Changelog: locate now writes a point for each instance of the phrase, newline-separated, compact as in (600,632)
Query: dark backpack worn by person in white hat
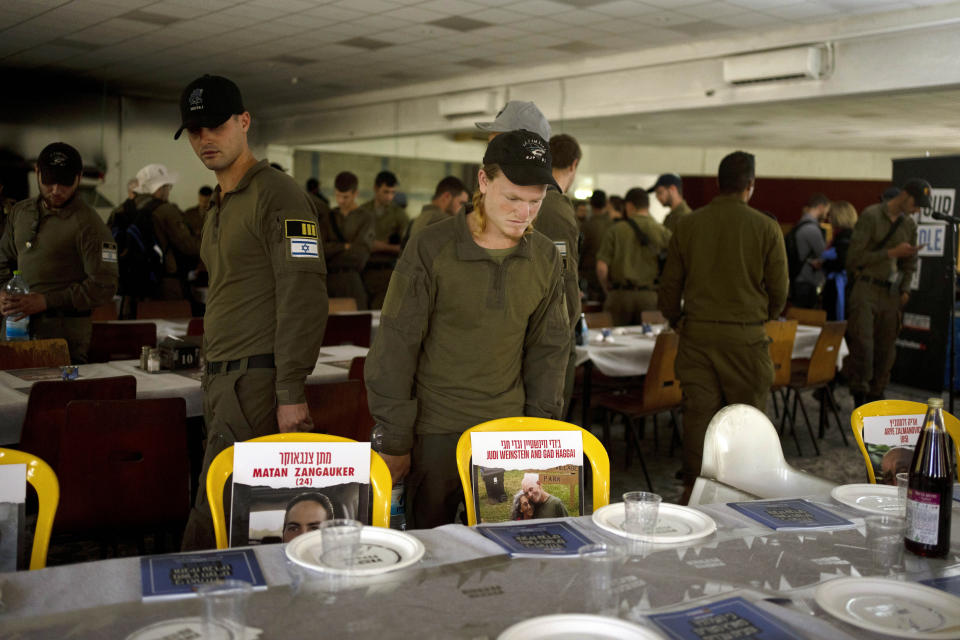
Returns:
(139,257)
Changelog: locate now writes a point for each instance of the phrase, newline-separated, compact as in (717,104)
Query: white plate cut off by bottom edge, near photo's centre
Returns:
(576,626)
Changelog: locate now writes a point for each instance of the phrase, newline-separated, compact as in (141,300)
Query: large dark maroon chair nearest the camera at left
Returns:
(128,471)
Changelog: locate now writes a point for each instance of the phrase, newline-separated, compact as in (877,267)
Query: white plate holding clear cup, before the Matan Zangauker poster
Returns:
(381,550)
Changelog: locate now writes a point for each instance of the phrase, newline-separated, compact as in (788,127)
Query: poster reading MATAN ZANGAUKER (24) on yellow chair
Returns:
(284,489)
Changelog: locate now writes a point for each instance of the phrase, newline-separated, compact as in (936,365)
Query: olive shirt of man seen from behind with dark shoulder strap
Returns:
(628,262)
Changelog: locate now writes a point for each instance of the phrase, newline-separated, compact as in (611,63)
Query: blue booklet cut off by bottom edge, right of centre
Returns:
(723,620)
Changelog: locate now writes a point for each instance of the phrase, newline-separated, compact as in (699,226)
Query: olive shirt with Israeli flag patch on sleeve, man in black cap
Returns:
(267,277)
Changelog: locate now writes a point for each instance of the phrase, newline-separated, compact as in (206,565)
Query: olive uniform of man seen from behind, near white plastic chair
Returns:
(728,265)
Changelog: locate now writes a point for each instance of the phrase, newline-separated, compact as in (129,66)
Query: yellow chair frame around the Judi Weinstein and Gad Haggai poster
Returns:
(596,454)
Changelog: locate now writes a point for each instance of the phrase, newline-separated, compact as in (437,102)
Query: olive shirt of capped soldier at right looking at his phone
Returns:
(865,259)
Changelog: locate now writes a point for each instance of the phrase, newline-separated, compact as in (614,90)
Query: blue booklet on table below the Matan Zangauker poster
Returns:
(177,575)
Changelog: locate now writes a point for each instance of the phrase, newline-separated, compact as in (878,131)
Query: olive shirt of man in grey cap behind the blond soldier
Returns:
(558,221)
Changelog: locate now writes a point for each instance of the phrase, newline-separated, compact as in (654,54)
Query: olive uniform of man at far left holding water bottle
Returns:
(70,257)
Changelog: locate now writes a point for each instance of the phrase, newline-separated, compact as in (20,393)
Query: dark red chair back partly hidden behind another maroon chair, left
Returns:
(47,409)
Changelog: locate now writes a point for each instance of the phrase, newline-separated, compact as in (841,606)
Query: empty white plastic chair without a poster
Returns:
(741,449)
